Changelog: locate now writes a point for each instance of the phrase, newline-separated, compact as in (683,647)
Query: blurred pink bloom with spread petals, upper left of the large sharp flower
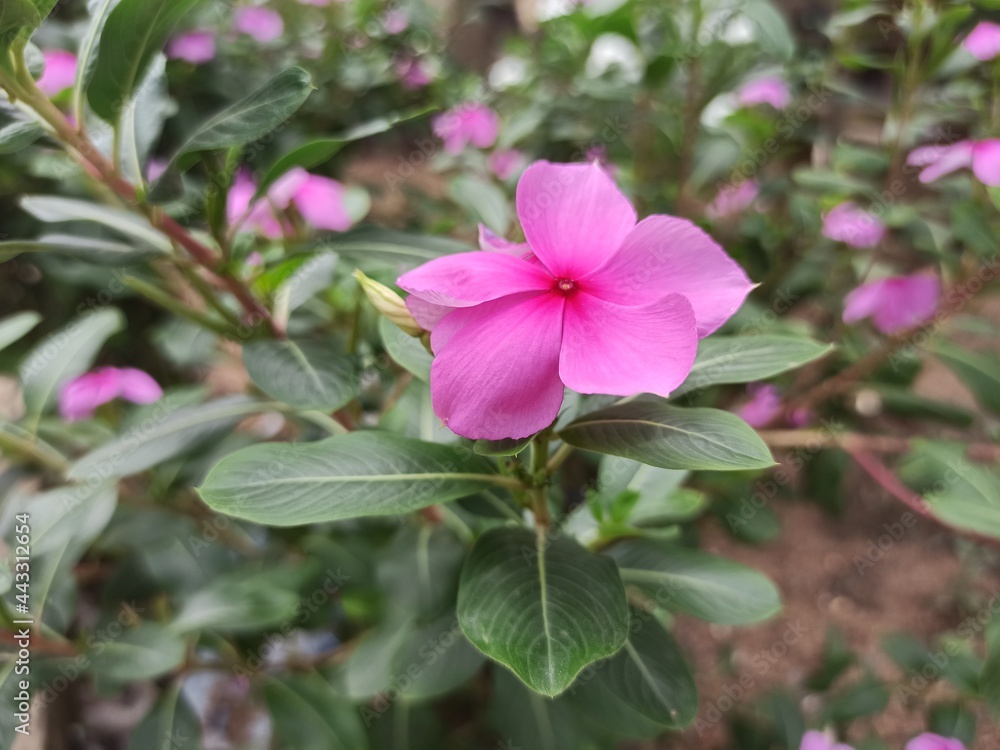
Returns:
(319,200)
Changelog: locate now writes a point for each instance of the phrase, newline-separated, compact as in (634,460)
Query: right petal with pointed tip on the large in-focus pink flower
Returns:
(666,255)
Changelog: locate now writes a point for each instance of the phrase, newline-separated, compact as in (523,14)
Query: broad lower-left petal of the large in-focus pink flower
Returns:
(497,374)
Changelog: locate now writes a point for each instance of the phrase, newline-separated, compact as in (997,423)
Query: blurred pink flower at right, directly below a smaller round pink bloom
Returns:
(896,303)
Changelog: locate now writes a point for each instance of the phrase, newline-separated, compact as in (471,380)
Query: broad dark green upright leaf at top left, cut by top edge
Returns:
(134,32)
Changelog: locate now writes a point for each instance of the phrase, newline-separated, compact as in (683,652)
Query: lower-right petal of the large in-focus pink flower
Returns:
(621,351)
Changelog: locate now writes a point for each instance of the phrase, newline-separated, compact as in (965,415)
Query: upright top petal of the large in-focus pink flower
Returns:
(573,216)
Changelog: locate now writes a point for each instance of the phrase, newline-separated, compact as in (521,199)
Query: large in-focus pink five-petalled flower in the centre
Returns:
(593,301)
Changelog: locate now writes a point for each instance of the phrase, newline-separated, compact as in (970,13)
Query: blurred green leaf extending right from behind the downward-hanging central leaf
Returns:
(708,587)
